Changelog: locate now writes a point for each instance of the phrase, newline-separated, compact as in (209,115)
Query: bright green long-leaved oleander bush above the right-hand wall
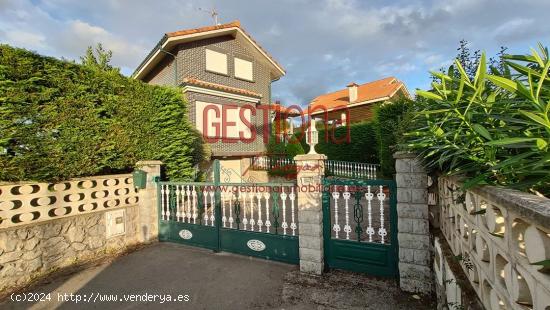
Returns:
(493,128)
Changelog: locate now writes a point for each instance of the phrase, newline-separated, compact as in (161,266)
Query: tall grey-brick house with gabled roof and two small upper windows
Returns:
(226,77)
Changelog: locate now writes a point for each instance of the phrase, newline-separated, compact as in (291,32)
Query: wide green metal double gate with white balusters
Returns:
(246,218)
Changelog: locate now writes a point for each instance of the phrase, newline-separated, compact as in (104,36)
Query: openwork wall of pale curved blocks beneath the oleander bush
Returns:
(498,236)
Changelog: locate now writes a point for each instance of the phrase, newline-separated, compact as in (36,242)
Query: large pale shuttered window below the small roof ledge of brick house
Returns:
(215,120)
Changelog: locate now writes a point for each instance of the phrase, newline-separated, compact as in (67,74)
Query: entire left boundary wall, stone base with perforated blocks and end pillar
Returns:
(45,227)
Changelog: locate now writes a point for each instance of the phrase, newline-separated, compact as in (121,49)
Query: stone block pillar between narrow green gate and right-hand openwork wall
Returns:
(412,224)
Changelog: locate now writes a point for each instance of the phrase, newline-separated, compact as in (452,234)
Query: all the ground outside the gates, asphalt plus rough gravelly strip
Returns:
(216,281)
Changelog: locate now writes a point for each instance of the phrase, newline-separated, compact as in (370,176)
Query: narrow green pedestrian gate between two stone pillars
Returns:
(360,226)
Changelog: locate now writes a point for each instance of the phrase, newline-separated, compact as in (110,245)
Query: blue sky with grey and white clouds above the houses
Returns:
(323,44)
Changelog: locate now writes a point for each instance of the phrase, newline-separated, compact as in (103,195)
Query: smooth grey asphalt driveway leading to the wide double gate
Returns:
(212,281)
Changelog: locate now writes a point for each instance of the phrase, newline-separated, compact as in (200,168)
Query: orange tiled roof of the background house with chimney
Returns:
(368,92)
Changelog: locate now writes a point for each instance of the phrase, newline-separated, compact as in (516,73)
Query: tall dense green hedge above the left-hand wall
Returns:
(60,120)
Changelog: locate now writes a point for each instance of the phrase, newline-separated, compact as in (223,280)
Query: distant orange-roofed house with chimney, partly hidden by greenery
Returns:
(356,103)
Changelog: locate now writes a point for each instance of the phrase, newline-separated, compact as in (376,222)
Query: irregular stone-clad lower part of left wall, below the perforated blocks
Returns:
(31,251)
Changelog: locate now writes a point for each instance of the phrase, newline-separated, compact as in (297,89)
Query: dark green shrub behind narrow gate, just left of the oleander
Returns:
(390,117)
